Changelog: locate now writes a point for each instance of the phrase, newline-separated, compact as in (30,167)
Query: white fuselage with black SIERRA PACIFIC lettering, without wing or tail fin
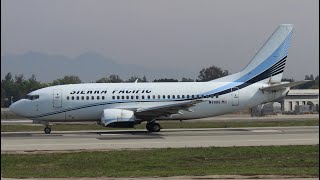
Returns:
(86,102)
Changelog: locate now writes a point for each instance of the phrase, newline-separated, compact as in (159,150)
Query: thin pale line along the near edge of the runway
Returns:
(55,144)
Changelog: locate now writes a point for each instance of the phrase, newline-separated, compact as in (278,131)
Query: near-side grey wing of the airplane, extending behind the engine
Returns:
(166,110)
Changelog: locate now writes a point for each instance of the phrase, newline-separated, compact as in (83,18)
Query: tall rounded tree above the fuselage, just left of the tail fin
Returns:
(213,72)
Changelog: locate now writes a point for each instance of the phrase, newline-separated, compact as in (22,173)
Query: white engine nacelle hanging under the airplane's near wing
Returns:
(117,118)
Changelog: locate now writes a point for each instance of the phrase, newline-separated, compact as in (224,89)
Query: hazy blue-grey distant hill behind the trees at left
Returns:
(88,66)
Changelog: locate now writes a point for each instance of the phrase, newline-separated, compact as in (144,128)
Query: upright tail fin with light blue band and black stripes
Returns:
(268,64)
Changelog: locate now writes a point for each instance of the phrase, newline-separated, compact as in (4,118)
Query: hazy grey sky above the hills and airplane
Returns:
(168,33)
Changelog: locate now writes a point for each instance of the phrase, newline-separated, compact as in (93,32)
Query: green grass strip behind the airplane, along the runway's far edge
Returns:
(166,125)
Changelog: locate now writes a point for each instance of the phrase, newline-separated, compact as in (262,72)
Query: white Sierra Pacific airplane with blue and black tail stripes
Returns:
(127,104)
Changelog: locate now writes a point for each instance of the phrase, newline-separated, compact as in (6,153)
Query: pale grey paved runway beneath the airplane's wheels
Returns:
(167,138)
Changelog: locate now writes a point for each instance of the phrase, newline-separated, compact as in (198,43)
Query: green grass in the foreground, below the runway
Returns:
(261,160)
